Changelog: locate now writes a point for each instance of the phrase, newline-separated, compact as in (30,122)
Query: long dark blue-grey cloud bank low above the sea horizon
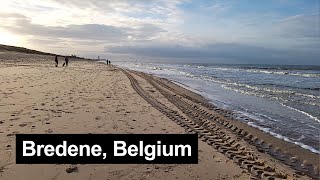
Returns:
(238,52)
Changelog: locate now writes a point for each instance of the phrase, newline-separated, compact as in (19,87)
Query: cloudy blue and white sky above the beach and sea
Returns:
(200,31)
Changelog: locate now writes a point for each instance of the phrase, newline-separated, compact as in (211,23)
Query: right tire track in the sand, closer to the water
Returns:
(202,112)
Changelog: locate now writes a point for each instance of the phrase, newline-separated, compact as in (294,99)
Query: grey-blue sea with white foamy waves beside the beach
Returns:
(282,100)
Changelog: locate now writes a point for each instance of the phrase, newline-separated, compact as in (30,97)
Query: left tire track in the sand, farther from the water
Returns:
(209,132)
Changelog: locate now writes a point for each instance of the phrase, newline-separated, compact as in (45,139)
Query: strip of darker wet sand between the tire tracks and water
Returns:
(286,152)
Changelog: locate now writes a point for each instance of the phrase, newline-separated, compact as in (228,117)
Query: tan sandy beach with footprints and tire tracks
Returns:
(91,97)
